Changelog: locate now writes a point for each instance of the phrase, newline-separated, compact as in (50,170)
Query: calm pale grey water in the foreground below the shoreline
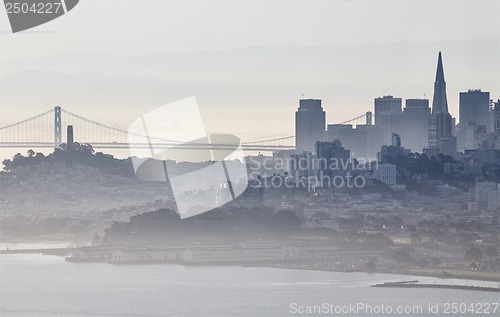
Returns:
(41,285)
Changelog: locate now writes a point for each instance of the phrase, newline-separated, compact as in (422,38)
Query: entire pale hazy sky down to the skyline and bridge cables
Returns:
(247,62)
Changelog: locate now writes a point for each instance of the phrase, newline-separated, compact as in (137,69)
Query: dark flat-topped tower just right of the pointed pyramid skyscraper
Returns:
(474,107)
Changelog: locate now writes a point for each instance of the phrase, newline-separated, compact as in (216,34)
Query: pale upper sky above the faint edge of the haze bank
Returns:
(159,26)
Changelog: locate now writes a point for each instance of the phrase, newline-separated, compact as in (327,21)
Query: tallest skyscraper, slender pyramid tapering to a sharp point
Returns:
(441,123)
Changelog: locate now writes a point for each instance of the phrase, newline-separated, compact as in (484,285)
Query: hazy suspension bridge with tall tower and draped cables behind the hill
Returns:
(45,130)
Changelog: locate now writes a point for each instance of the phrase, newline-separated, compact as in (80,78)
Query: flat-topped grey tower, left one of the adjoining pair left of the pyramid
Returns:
(388,116)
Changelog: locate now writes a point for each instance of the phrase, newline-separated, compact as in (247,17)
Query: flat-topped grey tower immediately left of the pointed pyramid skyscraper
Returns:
(415,133)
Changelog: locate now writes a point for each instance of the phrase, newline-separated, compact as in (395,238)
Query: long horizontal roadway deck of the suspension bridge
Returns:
(161,146)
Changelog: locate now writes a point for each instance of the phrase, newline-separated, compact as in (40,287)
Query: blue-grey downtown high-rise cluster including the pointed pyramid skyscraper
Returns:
(421,128)
